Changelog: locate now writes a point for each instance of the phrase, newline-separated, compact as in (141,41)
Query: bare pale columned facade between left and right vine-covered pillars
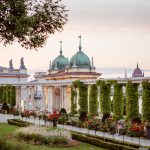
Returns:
(52,97)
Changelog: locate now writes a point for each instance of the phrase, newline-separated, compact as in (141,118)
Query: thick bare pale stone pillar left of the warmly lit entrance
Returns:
(50,95)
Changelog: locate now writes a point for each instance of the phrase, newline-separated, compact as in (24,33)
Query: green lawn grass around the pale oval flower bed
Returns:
(6,129)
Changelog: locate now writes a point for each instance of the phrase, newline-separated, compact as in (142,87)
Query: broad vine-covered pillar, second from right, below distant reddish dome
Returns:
(132,103)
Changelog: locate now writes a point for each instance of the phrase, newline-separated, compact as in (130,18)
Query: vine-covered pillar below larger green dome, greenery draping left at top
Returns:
(83,95)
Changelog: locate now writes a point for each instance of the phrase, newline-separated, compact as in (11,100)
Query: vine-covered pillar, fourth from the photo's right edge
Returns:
(105,102)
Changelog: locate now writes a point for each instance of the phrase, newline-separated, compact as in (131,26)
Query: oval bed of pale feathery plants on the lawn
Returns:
(46,136)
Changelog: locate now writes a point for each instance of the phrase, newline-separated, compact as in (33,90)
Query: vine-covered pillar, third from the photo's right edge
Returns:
(118,102)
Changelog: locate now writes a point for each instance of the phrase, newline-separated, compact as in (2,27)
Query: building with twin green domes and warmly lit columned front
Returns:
(62,70)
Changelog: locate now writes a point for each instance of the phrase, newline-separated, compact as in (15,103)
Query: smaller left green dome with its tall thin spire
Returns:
(60,62)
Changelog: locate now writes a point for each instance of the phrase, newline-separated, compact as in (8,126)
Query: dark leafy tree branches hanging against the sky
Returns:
(30,22)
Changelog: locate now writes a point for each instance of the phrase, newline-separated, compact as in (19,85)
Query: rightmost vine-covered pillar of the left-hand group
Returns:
(13,96)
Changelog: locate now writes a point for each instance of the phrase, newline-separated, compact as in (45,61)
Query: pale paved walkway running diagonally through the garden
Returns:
(141,141)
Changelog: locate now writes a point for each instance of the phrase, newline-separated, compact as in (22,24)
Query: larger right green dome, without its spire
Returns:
(81,60)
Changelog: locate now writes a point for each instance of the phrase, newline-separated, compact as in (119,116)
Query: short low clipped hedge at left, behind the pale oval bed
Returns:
(18,122)
